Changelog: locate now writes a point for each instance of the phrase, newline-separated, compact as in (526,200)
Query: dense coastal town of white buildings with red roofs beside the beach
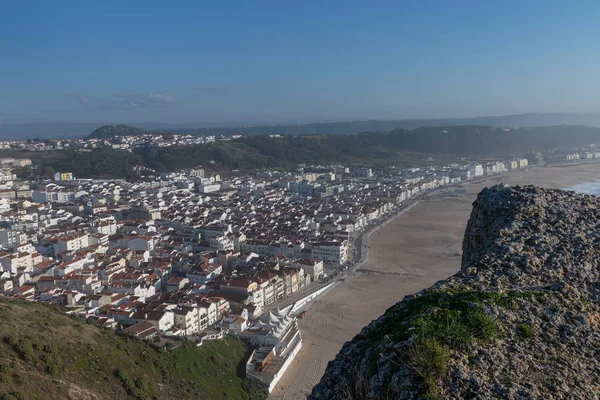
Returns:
(188,256)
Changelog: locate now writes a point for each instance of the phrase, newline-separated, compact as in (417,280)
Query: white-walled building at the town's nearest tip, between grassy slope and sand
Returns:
(278,340)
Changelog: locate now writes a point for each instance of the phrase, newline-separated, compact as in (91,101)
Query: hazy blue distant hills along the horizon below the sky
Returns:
(62,130)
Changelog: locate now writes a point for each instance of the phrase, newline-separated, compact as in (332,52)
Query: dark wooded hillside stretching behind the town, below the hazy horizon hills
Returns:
(371,148)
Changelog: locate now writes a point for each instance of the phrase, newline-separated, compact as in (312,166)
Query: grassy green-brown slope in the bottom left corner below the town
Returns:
(46,354)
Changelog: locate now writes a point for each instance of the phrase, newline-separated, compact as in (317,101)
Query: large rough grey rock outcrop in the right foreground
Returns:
(519,321)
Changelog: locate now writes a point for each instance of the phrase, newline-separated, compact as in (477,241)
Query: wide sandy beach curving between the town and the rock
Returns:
(418,248)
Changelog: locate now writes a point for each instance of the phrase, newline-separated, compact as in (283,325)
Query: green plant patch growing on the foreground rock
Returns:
(444,322)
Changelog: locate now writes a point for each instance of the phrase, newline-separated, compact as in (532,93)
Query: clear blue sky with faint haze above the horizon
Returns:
(280,61)
